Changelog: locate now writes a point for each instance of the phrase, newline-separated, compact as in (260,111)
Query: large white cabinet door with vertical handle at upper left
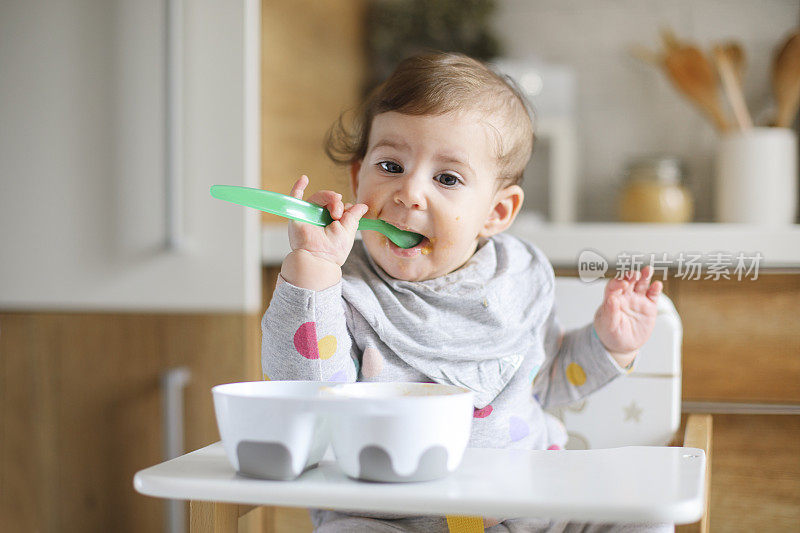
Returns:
(82,136)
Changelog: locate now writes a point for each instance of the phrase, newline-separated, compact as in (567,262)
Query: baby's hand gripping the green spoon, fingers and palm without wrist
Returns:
(333,242)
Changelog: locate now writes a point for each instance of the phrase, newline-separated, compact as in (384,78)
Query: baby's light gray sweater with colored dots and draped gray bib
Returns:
(490,326)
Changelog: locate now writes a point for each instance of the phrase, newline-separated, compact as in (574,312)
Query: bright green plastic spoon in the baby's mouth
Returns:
(302,211)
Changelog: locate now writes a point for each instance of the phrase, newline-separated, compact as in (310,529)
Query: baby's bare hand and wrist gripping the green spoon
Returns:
(318,253)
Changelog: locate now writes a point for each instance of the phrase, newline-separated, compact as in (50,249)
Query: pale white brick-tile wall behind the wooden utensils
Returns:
(626,108)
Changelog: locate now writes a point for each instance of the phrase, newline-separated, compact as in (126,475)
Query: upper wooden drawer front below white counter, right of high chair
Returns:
(741,339)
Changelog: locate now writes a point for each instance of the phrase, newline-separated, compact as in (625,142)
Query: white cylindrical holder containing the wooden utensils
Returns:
(756,177)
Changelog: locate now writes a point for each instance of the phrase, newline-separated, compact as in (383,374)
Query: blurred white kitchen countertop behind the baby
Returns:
(562,243)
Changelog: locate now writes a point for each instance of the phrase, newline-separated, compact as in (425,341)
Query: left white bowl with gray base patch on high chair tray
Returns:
(271,429)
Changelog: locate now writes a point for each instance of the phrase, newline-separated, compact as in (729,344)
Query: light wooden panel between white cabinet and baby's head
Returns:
(313,66)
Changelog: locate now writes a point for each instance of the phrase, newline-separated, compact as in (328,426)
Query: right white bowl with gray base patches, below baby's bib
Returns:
(399,431)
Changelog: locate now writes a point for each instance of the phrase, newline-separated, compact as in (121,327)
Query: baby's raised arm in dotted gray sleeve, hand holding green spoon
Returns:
(304,331)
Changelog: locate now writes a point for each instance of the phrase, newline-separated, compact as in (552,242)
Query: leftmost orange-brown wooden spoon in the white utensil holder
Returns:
(691,72)
